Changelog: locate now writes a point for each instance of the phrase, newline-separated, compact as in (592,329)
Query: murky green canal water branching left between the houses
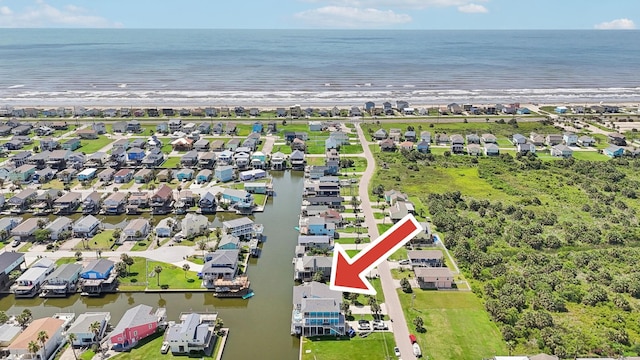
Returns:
(260,326)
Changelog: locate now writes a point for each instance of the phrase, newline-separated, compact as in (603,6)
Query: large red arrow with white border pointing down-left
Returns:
(347,274)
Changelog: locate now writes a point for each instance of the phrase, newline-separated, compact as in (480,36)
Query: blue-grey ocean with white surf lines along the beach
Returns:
(313,67)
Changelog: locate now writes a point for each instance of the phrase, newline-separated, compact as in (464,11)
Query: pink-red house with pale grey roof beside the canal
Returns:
(136,324)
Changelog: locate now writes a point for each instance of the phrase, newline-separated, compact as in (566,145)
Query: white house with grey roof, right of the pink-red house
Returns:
(193,334)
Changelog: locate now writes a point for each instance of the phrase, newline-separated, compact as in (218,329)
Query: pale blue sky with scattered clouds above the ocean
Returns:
(341,14)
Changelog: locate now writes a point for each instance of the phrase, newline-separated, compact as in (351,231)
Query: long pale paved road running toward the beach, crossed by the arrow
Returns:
(400,329)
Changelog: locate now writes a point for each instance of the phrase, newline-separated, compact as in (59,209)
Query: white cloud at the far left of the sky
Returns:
(44,15)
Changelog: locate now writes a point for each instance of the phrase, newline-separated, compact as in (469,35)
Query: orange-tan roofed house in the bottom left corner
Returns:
(53,328)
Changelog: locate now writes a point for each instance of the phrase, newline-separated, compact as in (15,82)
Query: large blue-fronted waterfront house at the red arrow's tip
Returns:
(317,311)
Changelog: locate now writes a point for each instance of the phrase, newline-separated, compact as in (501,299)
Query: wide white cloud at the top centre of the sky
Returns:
(351,17)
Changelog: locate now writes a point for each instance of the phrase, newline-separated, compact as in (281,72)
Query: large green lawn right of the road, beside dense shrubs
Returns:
(457,325)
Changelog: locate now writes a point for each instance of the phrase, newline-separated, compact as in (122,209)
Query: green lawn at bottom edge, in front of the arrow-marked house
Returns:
(375,346)
